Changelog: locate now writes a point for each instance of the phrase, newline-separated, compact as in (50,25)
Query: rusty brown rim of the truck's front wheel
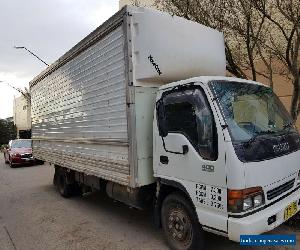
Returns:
(179,227)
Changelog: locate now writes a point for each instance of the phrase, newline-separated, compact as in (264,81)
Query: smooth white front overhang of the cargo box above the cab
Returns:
(179,48)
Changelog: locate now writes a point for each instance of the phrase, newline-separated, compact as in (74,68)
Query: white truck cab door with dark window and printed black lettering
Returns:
(188,151)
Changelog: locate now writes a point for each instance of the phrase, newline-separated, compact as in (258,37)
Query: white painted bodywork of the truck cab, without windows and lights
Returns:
(229,174)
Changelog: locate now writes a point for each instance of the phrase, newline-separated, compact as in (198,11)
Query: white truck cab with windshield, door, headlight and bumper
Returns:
(230,146)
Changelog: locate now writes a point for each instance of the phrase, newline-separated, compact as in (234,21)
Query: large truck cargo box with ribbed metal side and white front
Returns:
(92,109)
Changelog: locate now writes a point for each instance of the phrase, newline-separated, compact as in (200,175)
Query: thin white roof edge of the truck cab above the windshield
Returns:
(206,79)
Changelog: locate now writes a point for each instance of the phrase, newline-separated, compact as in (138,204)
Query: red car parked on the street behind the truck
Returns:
(19,152)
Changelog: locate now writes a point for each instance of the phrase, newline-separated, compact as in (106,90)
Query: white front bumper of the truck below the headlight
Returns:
(257,223)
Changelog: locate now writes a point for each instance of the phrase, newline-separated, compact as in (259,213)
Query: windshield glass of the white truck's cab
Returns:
(251,110)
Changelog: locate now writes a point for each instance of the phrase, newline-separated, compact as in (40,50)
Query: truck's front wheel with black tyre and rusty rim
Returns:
(180,224)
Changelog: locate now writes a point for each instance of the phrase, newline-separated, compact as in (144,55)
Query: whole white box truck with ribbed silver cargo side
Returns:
(142,110)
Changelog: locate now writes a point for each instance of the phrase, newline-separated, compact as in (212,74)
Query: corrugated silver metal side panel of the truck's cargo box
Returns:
(79,112)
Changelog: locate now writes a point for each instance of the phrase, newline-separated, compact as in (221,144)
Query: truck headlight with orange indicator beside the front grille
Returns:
(244,199)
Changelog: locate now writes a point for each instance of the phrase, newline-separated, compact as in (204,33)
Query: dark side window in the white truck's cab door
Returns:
(188,112)
